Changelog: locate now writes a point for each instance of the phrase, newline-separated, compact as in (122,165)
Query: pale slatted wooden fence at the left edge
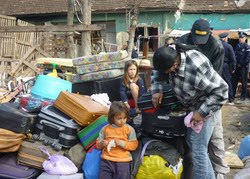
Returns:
(13,47)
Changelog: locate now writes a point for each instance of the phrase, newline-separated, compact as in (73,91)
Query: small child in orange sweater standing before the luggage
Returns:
(116,140)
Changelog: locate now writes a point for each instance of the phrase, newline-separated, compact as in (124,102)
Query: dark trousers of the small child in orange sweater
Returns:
(115,170)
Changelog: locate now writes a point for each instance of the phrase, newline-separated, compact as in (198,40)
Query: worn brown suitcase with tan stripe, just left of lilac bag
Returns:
(30,154)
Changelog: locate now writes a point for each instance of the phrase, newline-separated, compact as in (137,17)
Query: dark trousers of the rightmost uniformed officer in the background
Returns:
(240,73)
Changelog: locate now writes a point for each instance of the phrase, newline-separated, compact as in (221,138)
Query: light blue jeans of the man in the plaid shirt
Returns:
(198,144)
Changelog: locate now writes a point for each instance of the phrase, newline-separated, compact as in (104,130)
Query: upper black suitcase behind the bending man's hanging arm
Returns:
(169,101)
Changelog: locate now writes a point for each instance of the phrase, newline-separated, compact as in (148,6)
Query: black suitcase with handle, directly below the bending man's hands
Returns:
(162,125)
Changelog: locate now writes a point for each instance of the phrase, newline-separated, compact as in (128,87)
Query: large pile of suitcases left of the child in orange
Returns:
(73,119)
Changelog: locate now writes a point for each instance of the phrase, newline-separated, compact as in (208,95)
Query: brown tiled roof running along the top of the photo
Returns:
(35,7)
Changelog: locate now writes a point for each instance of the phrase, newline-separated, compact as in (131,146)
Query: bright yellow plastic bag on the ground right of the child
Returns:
(155,167)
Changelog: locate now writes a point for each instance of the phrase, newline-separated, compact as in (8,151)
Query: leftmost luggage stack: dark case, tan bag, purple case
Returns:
(15,125)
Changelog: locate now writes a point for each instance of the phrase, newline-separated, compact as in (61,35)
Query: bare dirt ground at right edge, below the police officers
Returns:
(236,123)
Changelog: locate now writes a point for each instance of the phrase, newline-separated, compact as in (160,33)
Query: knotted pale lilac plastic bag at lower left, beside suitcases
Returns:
(58,164)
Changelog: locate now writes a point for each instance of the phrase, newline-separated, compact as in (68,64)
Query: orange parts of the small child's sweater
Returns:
(118,154)
